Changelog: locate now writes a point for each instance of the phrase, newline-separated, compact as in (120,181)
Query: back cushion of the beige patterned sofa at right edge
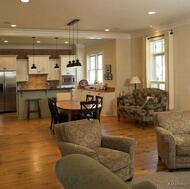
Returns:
(175,122)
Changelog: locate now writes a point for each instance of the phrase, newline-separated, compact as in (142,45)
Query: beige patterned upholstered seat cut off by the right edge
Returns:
(173,138)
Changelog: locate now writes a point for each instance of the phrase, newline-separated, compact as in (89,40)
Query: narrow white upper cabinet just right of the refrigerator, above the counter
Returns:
(22,70)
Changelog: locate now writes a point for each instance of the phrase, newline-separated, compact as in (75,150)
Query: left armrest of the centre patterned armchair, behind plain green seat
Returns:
(70,148)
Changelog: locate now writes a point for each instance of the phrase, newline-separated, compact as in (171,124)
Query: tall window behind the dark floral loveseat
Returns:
(156,64)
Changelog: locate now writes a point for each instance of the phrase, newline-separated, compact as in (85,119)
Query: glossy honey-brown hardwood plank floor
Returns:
(28,151)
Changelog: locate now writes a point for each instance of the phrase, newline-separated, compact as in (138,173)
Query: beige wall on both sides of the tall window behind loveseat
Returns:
(181,86)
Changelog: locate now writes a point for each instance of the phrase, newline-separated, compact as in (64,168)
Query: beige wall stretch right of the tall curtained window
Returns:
(182,67)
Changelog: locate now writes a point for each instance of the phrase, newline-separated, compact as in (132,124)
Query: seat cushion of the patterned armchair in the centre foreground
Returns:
(112,159)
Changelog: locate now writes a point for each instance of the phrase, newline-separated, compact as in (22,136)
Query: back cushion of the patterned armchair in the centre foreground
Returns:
(82,132)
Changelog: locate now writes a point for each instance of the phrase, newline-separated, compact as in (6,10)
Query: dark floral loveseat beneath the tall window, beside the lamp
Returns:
(142,104)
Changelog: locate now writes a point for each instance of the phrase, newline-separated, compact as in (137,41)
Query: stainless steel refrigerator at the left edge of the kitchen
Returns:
(7,91)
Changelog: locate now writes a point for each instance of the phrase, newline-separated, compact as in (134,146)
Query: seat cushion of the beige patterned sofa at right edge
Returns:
(182,144)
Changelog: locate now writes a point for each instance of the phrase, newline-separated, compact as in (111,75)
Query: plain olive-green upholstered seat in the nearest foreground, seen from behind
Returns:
(78,171)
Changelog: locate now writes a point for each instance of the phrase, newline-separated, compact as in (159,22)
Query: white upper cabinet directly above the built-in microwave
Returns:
(64,62)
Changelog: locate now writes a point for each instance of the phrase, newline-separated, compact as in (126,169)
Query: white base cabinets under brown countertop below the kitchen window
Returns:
(108,100)
